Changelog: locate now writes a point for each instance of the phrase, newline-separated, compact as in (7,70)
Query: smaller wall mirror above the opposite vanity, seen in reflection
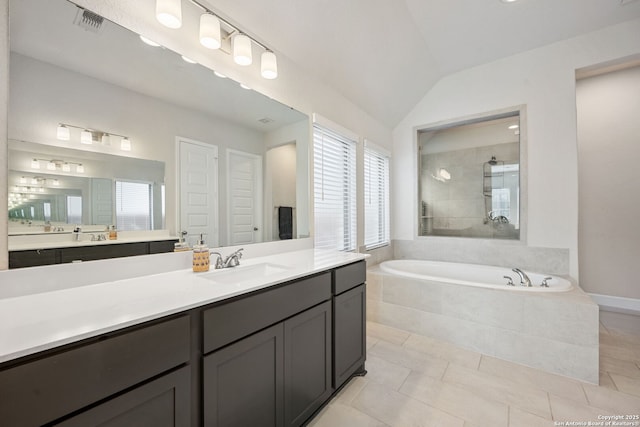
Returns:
(52,189)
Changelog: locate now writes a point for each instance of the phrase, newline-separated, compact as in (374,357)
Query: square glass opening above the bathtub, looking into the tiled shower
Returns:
(469,178)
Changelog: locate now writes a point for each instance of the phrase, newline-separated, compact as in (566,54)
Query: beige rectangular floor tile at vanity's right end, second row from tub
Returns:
(411,359)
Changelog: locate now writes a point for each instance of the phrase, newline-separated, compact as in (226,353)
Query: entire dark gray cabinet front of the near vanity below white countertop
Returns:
(271,357)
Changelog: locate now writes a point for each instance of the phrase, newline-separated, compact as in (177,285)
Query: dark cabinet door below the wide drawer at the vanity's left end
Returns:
(164,402)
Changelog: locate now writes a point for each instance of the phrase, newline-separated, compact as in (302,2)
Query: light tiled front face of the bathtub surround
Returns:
(554,332)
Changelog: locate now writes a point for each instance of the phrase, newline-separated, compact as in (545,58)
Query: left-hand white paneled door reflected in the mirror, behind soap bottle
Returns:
(198,195)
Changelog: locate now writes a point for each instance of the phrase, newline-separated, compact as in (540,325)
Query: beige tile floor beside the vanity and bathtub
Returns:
(415,381)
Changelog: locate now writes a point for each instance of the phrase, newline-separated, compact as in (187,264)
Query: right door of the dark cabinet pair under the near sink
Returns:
(307,366)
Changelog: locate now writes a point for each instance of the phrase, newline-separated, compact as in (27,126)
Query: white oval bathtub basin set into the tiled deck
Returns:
(472,275)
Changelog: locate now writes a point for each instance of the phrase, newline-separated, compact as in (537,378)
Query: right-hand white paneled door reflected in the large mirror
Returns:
(244,181)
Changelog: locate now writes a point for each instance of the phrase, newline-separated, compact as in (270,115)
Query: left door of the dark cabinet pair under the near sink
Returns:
(243,382)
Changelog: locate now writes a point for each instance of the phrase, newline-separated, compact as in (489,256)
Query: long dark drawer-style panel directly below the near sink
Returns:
(229,322)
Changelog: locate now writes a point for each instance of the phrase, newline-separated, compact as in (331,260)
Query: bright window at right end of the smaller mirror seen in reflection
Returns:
(133,206)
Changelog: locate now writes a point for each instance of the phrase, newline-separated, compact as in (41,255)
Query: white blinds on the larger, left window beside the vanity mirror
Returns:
(334,190)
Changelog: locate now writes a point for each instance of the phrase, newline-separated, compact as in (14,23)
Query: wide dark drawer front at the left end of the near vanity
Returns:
(46,389)
